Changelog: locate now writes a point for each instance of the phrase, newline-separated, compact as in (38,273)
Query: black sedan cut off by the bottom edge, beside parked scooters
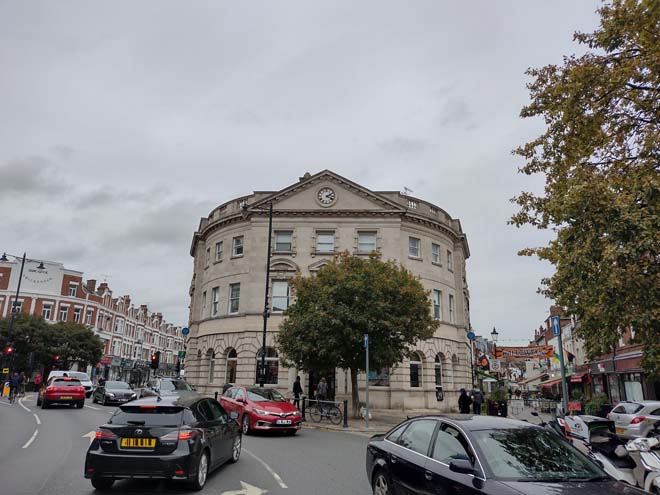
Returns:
(466,454)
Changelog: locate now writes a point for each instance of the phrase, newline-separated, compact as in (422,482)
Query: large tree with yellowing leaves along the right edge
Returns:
(600,155)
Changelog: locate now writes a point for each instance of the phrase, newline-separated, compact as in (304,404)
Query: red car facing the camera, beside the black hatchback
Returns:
(262,409)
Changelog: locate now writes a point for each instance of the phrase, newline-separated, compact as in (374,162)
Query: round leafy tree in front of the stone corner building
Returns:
(349,297)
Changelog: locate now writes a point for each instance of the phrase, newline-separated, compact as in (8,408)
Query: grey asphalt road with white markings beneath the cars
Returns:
(51,460)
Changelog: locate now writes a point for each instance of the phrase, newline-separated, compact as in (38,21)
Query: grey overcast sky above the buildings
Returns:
(123,122)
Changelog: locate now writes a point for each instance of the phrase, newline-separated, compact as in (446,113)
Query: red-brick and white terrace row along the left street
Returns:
(130,334)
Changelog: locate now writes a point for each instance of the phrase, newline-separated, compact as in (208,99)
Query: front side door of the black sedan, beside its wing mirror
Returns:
(450,444)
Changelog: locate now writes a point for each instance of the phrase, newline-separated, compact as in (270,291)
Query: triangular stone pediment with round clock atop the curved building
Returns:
(327,191)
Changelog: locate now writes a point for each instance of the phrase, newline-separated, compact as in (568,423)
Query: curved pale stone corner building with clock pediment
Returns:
(314,219)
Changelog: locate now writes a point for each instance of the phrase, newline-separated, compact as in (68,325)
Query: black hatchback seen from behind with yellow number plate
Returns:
(177,438)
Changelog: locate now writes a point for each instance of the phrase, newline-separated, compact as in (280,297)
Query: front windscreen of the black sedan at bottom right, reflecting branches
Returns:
(530,454)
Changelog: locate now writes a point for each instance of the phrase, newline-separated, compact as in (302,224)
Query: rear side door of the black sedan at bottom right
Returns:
(408,456)
